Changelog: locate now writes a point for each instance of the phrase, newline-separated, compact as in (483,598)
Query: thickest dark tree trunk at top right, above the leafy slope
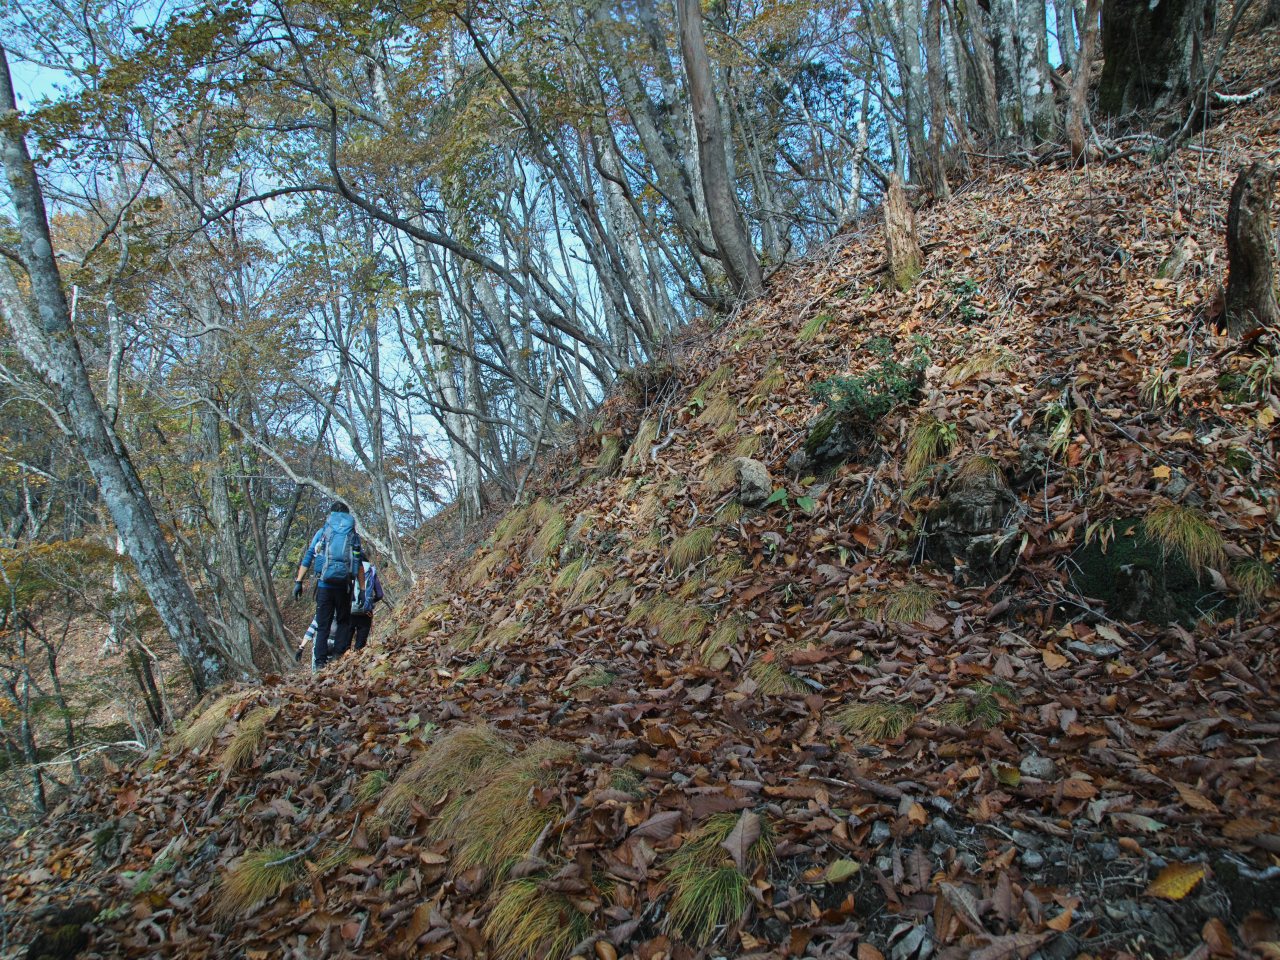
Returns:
(1151,53)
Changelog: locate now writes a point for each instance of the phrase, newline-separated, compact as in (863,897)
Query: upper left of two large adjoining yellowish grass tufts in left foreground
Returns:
(451,766)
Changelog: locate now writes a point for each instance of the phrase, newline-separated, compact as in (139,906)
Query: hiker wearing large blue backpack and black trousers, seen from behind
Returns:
(337,548)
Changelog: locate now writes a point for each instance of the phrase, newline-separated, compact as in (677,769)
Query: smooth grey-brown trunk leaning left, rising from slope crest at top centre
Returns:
(723,211)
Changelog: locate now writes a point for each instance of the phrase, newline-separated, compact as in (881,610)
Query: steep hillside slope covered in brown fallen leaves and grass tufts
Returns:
(991,674)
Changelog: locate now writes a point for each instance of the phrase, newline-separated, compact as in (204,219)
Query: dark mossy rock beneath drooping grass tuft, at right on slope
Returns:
(1139,580)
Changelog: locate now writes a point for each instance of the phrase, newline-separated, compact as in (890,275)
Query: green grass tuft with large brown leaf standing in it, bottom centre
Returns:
(707,889)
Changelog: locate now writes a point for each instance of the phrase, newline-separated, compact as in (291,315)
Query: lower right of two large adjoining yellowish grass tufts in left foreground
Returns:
(499,824)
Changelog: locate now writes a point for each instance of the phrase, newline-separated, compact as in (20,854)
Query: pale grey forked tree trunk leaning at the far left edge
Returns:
(48,342)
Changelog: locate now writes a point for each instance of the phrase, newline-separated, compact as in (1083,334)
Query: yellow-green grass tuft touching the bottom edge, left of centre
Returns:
(531,921)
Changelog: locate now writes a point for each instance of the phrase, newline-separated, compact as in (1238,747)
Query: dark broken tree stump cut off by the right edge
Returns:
(1251,285)
